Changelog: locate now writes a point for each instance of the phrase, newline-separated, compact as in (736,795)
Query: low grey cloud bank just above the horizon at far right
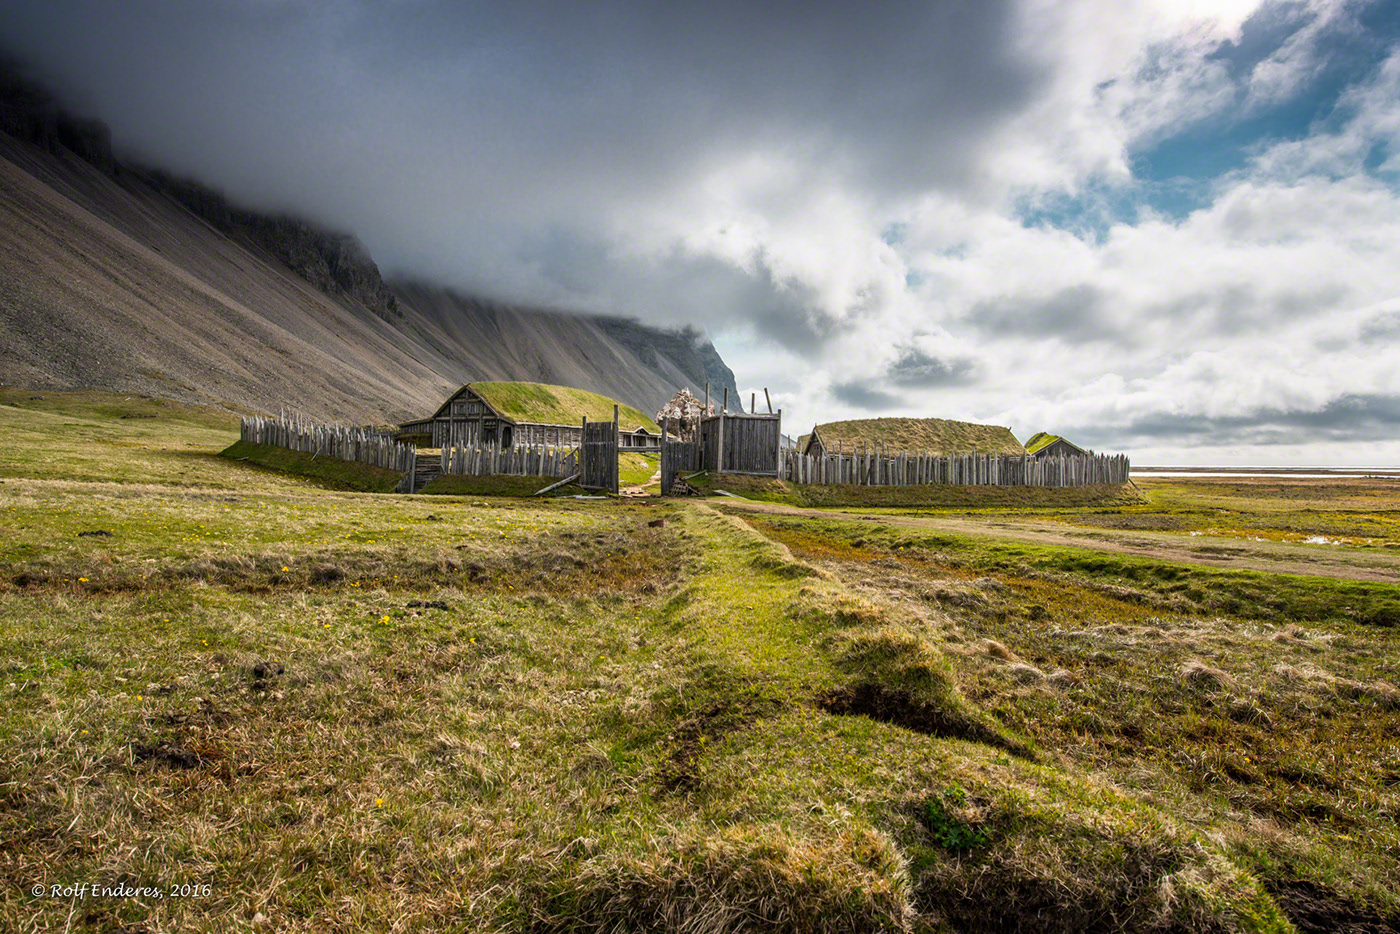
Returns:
(1347,418)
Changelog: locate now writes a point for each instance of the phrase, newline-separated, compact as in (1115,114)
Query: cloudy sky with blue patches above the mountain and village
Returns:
(1163,228)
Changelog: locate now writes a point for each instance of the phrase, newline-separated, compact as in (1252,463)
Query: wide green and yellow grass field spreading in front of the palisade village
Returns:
(339,712)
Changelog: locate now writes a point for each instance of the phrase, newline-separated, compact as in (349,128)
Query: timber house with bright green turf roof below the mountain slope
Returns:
(512,415)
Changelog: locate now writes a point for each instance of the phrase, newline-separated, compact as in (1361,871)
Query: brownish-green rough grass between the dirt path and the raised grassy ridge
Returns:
(1259,704)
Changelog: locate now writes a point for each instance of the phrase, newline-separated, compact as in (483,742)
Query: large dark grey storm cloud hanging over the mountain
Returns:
(449,134)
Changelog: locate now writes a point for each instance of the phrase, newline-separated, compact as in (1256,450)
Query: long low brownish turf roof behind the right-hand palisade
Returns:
(909,436)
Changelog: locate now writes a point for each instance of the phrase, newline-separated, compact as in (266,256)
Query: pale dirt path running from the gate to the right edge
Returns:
(1282,558)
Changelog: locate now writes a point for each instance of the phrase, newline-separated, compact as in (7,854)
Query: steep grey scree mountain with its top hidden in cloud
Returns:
(122,278)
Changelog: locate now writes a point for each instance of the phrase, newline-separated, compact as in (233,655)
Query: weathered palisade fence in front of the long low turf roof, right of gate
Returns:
(877,468)
